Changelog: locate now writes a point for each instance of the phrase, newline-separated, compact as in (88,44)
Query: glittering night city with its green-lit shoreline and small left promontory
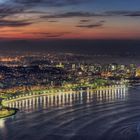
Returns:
(33,74)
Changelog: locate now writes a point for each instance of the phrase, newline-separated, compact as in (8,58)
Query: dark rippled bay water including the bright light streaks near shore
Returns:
(91,115)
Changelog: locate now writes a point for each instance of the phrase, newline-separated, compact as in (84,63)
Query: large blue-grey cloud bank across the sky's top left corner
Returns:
(13,7)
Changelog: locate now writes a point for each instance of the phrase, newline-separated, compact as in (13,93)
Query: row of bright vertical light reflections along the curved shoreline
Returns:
(69,98)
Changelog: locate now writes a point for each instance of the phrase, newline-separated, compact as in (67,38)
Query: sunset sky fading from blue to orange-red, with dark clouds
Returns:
(69,19)
